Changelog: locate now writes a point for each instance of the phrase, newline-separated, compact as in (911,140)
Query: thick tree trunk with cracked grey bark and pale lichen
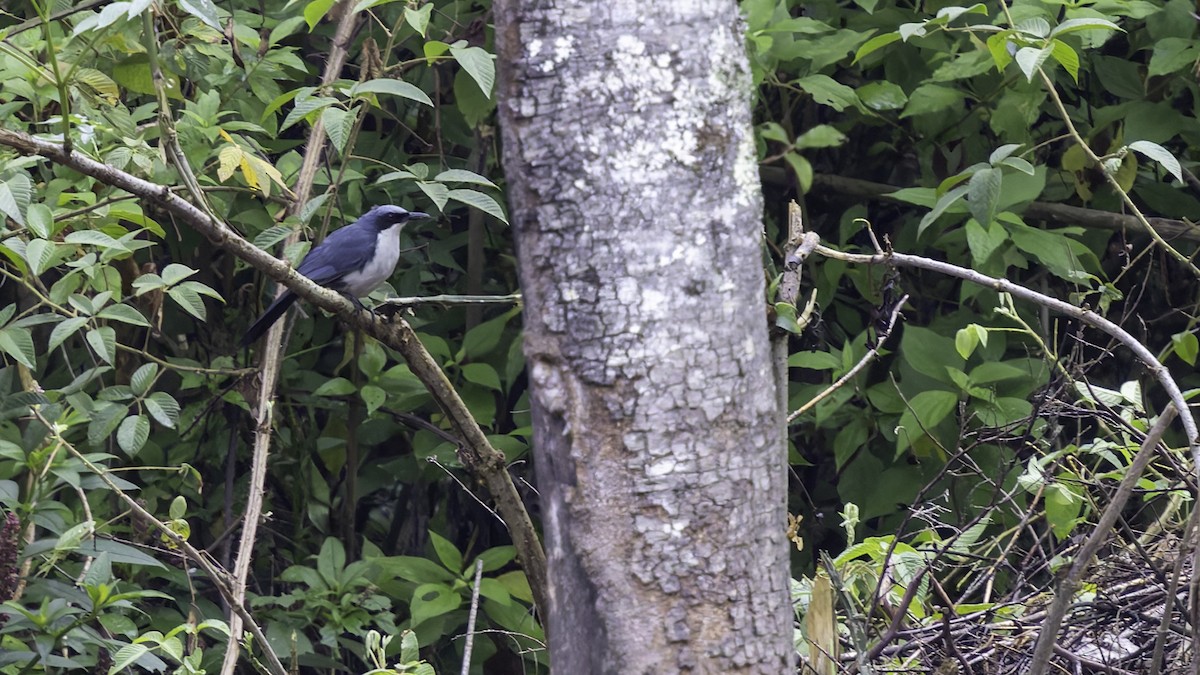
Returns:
(638,213)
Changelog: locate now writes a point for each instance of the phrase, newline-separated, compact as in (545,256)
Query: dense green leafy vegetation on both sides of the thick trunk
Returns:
(118,326)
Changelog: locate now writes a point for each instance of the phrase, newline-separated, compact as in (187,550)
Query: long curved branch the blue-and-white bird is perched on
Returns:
(478,456)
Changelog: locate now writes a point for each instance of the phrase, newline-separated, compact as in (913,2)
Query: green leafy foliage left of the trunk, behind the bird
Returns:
(118,330)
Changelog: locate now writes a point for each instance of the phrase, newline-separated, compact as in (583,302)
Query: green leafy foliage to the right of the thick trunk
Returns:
(985,416)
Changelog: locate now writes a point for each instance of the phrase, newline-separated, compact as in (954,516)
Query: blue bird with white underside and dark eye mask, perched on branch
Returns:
(353,261)
